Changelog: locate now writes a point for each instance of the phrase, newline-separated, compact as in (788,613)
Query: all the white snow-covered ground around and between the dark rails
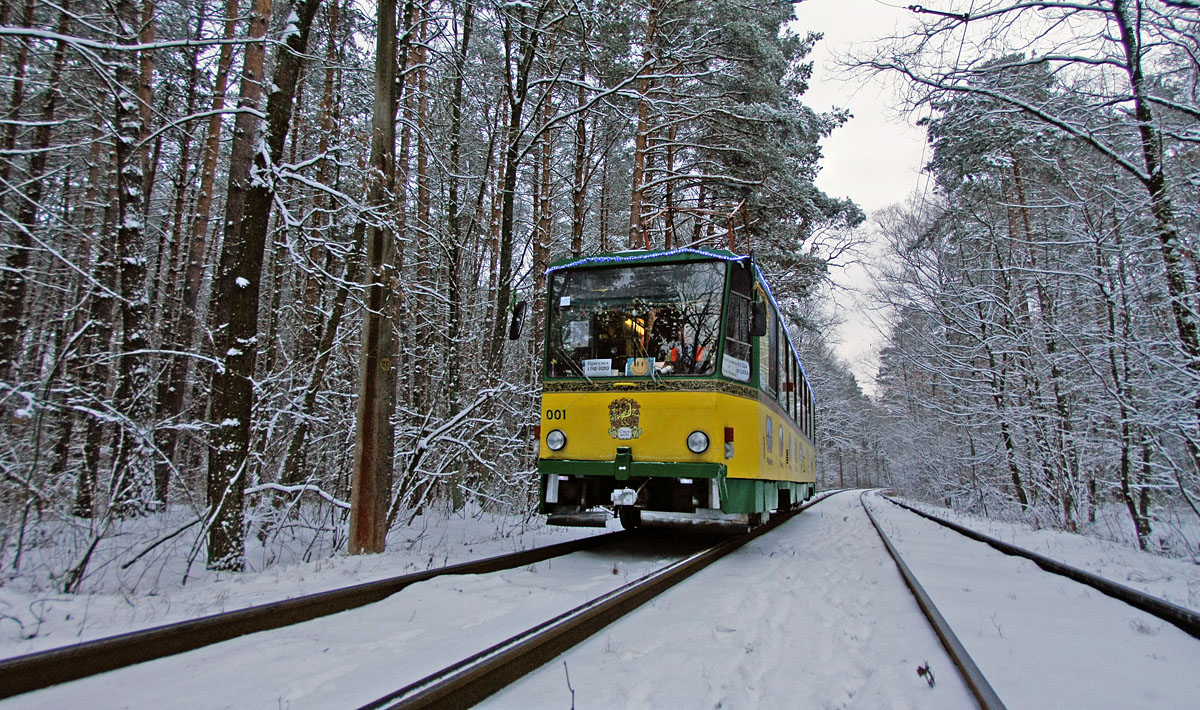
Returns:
(813,615)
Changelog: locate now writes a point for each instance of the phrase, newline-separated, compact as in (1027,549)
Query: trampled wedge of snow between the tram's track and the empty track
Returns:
(813,615)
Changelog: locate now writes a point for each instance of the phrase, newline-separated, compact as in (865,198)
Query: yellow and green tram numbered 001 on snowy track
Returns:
(673,394)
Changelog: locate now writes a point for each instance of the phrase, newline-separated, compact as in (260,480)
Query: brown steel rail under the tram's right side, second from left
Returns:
(472,681)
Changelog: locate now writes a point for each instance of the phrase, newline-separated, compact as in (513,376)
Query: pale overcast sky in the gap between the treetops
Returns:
(875,159)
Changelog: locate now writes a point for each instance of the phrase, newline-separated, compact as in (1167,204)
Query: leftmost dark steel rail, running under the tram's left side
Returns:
(41,670)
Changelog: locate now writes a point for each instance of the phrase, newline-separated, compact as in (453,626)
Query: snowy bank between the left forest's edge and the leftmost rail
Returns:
(147,595)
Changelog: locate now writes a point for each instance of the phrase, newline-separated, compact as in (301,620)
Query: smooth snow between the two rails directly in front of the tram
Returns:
(353,658)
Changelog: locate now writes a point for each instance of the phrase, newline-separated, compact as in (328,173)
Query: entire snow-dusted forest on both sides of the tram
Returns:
(261,261)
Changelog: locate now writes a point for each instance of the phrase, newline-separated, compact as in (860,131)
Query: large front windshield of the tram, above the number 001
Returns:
(650,321)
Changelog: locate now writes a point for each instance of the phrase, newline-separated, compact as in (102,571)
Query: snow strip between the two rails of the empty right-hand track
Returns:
(1041,640)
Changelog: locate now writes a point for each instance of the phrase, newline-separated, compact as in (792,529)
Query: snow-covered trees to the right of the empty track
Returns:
(1043,348)
